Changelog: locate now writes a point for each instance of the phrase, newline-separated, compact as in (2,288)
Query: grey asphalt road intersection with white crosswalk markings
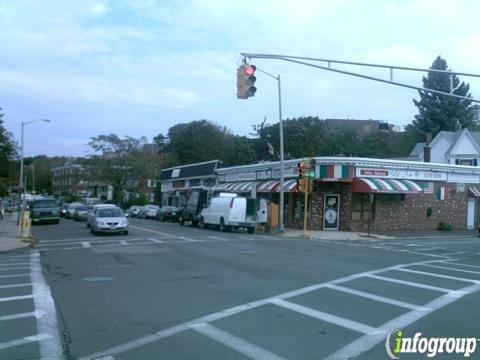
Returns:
(171,292)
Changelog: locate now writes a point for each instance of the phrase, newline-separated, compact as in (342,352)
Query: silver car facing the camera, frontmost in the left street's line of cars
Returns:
(109,220)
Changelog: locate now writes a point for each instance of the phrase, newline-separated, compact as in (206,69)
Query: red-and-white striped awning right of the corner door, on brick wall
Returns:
(388,186)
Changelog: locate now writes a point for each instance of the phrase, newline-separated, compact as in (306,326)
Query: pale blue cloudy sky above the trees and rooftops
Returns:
(138,67)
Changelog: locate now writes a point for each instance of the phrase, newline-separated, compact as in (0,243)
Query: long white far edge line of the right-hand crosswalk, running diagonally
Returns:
(148,339)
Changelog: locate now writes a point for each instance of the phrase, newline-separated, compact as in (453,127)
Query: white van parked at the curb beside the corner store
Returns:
(234,212)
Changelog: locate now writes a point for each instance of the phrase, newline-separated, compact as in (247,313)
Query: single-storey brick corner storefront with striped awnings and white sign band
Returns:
(354,194)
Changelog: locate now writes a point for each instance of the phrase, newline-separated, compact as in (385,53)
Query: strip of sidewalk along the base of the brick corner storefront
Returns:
(405,234)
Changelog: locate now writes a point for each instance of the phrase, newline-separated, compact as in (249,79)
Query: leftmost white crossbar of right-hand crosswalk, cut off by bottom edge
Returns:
(234,342)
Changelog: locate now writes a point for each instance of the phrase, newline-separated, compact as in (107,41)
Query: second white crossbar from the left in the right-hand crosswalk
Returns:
(333,319)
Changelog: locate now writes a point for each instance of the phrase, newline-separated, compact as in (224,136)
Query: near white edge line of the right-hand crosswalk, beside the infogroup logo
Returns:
(367,342)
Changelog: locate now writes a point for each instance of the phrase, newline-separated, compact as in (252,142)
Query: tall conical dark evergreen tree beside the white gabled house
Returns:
(440,112)
